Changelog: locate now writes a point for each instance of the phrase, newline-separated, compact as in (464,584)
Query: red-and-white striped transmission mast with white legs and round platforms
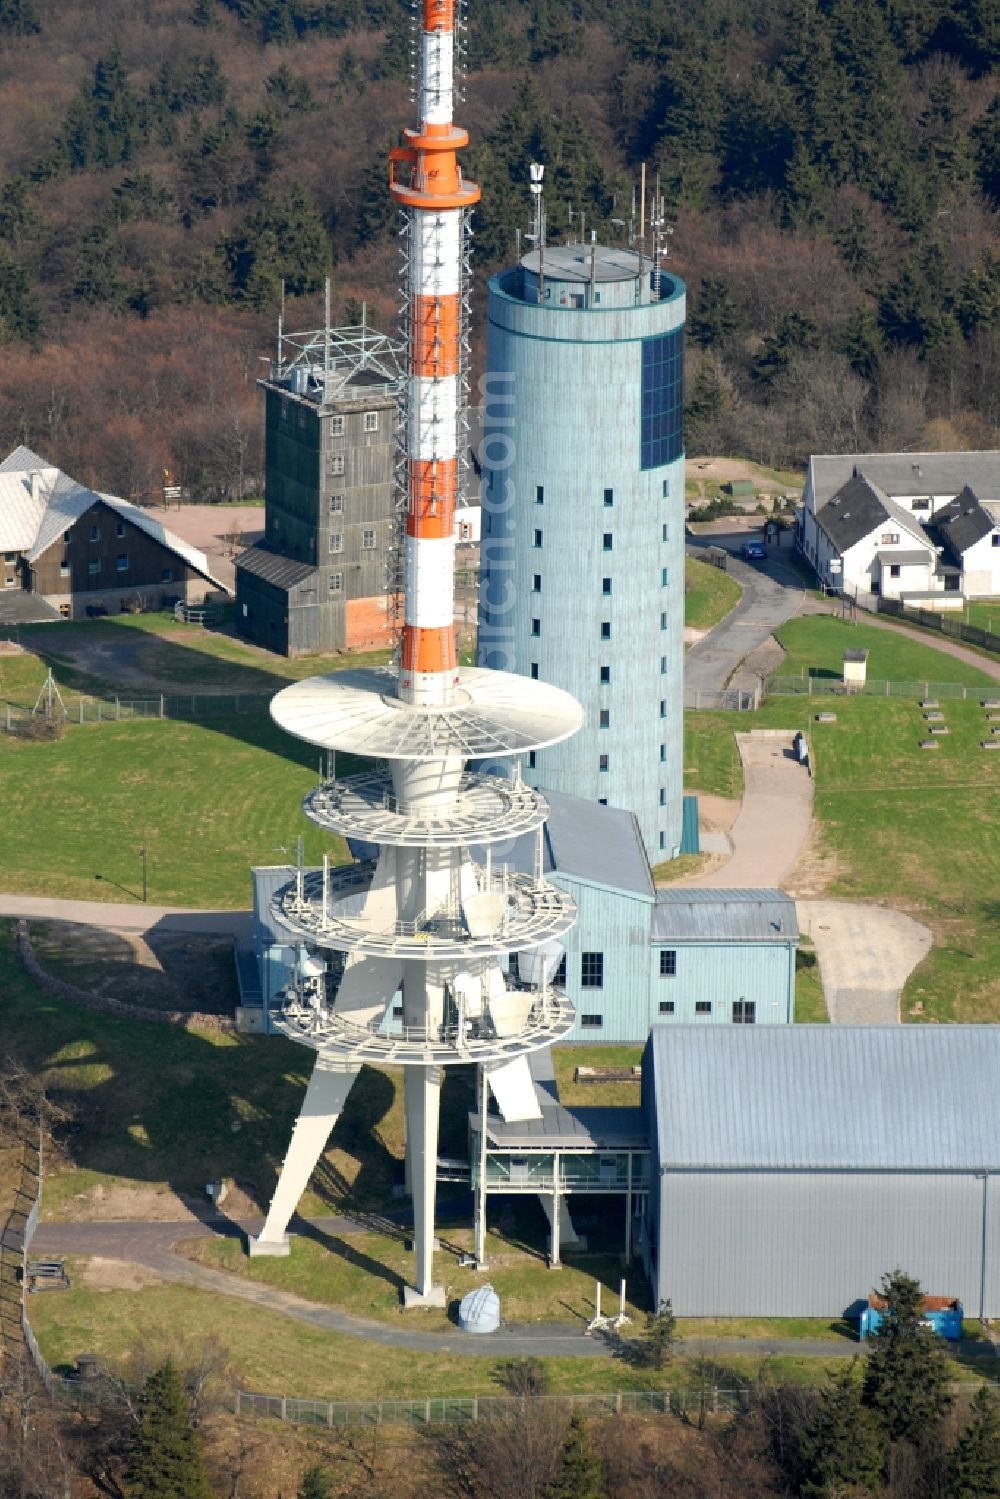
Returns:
(424,920)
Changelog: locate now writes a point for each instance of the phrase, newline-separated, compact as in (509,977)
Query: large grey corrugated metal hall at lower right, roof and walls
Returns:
(795,1165)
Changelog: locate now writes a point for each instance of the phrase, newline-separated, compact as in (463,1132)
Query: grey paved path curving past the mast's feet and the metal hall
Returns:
(151,1245)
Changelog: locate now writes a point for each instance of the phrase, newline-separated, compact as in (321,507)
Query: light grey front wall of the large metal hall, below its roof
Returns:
(813,1243)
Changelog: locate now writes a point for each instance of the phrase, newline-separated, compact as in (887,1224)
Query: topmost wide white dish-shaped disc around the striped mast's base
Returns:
(493,714)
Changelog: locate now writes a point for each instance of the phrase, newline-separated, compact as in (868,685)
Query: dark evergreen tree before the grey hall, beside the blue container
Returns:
(906,1375)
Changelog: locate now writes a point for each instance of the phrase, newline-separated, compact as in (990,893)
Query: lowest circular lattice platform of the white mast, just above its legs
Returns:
(549,1020)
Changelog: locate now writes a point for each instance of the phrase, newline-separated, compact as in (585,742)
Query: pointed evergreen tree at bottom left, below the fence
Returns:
(167,1461)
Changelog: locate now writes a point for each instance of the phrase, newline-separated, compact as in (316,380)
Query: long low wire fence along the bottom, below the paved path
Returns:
(485,1408)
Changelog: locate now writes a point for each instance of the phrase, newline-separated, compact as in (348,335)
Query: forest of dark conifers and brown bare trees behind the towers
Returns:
(831,170)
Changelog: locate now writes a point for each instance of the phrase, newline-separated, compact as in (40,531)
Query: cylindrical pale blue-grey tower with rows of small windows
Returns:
(582,563)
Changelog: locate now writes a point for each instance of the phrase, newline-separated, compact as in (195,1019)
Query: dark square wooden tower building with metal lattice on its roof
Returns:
(322,579)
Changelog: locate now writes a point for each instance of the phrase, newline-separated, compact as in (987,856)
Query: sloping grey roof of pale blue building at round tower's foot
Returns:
(587,842)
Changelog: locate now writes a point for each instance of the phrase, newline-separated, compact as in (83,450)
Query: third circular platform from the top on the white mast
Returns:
(533,914)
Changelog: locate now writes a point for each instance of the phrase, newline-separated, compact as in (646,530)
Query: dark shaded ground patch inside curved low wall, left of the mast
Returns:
(160,971)
